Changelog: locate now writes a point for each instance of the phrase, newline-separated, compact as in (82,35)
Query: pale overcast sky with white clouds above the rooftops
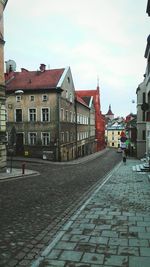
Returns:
(103,42)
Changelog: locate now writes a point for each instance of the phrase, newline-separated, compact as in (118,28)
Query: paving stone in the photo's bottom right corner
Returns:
(139,261)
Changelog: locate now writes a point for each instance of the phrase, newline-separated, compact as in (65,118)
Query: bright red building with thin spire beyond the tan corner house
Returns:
(99,119)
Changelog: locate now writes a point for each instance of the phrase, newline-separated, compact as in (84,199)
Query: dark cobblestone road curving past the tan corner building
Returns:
(33,209)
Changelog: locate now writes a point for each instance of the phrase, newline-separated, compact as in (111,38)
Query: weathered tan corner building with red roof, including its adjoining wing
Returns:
(45,119)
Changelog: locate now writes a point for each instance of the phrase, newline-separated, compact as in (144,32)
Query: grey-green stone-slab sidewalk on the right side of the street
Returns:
(111,229)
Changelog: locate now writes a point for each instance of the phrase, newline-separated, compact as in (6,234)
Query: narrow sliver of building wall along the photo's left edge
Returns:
(2,90)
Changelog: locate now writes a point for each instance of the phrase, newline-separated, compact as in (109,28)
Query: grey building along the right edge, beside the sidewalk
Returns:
(143,105)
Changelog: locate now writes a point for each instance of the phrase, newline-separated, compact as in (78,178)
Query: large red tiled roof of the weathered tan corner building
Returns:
(25,80)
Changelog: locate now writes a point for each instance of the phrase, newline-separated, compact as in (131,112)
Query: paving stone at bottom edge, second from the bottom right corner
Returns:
(116,260)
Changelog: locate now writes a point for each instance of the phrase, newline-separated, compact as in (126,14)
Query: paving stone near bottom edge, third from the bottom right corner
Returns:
(93,258)
